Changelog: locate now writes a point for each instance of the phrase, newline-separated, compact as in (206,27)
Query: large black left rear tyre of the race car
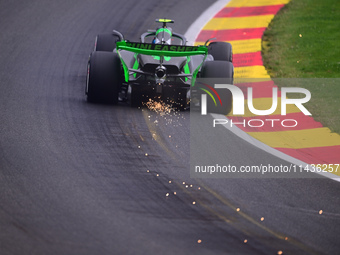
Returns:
(104,77)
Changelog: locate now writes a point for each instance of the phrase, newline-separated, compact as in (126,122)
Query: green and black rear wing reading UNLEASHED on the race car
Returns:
(161,50)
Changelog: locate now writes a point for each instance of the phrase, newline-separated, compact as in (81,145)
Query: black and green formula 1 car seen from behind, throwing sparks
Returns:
(160,67)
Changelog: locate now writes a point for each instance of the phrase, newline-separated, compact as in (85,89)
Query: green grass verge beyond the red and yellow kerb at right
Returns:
(303,41)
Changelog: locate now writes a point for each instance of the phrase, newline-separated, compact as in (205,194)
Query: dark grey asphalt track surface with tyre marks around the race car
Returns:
(73,175)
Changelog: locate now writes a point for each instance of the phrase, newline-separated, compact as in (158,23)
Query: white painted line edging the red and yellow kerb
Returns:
(191,34)
